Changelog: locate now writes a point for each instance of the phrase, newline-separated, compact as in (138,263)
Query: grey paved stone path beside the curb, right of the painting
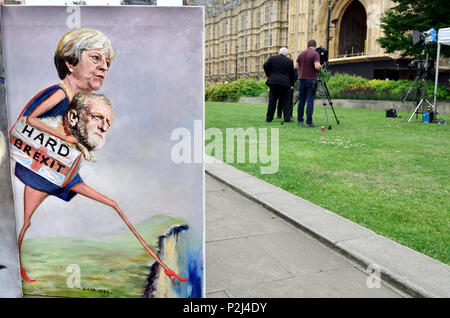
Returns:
(250,252)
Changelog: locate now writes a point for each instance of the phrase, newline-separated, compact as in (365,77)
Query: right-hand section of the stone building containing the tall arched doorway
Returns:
(354,29)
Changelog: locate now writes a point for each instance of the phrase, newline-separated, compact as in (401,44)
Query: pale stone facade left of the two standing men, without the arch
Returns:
(242,31)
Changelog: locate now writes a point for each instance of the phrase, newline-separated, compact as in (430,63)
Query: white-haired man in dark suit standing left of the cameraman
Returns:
(281,76)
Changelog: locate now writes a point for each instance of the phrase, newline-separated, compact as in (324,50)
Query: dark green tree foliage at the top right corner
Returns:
(398,22)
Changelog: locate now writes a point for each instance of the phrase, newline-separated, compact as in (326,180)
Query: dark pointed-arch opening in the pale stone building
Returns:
(353,30)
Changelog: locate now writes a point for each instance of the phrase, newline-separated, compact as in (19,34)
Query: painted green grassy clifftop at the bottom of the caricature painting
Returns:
(112,266)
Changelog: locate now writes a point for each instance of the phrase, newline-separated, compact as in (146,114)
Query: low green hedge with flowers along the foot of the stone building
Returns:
(341,86)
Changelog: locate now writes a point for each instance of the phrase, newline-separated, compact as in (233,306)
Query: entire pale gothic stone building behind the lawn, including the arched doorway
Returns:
(241,34)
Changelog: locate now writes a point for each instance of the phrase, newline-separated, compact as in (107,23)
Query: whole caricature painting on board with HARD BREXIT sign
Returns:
(95,98)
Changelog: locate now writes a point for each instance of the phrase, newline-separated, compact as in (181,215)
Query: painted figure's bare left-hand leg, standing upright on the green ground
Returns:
(32,198)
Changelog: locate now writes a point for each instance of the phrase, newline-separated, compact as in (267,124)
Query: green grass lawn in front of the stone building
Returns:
(382,173)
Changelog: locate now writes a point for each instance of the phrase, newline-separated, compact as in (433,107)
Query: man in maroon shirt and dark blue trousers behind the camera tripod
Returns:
(308,62)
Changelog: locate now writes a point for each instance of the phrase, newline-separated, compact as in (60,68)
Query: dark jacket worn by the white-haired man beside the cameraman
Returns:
(280,71)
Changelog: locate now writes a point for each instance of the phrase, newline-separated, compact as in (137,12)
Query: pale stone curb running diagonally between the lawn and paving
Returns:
(412,272)
